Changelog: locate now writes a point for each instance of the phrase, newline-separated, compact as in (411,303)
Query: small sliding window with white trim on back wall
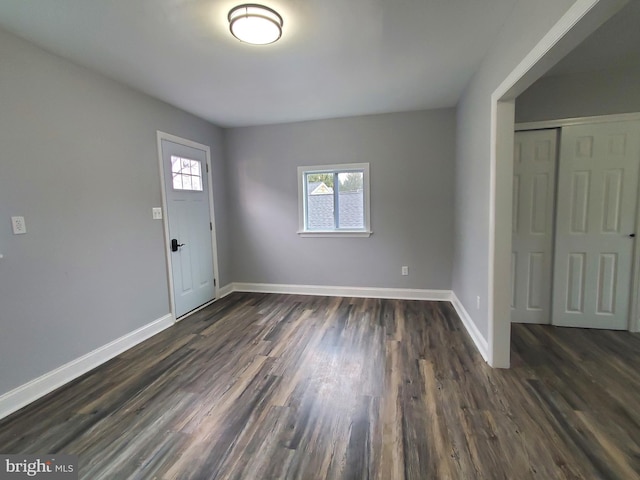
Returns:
(334,200)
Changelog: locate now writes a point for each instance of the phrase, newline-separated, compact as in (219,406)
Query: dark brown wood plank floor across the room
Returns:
(279,386)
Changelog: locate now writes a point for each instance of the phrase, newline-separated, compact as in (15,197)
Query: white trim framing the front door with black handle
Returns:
(165,221)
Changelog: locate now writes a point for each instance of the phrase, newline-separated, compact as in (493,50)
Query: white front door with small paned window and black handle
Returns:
(189,225)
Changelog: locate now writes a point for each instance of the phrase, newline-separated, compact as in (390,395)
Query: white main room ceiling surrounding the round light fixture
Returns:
(336,58)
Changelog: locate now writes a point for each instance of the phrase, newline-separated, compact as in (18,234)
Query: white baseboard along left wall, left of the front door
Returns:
(31,391)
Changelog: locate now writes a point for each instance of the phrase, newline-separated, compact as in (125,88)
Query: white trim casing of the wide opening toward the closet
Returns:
(582,19)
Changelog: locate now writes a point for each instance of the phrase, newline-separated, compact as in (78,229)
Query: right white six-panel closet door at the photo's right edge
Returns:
(596,216)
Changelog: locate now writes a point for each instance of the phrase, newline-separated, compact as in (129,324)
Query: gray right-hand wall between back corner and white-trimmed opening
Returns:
(527,24)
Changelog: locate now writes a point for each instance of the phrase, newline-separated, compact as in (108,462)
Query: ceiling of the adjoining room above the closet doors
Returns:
(615,45)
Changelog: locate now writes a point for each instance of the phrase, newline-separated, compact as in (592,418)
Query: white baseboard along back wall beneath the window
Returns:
(330,291)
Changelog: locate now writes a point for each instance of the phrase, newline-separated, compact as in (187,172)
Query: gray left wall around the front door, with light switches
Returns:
(79,162)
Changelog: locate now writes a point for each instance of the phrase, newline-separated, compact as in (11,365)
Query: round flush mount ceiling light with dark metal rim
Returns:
(255,24)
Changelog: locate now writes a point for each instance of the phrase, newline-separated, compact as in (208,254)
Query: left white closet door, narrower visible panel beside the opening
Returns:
(533,203)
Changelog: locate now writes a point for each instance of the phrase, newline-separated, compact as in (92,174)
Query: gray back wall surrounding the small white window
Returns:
(411,157)
